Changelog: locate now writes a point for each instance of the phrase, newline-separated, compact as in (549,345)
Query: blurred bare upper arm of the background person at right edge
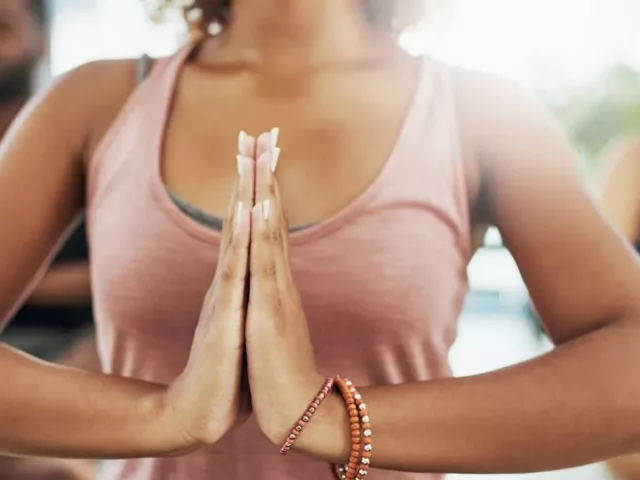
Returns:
(620,191)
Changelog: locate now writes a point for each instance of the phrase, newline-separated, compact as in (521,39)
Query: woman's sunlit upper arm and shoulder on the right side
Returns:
(580,273)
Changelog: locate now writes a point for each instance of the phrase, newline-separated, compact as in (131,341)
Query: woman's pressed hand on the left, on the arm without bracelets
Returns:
(206,401)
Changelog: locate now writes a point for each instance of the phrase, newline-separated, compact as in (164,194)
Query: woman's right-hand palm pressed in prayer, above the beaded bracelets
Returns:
(282,369)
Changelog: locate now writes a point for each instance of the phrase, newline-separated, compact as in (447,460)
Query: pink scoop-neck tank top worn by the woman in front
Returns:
(389,269)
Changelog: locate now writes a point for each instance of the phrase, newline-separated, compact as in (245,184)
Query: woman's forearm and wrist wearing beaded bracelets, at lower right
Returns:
(574,406)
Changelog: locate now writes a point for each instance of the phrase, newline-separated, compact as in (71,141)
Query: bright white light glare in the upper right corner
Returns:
(533,41)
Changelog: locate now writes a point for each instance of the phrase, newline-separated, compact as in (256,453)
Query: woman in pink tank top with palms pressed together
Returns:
(389,165)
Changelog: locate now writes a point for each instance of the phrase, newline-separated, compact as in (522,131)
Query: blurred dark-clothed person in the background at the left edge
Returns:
(55,322)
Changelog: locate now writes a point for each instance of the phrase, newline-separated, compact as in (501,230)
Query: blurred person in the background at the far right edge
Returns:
(621,202)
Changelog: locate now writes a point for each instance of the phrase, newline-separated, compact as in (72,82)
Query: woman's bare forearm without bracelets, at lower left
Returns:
(47,410)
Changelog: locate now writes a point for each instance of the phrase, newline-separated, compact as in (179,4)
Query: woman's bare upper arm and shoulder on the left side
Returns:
(42,174)
